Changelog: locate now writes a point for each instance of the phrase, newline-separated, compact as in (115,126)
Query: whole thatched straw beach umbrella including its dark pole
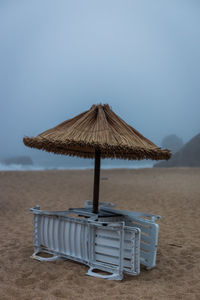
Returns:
(95,133)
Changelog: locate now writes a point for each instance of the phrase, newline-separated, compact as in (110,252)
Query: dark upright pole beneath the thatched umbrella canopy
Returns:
(96,181)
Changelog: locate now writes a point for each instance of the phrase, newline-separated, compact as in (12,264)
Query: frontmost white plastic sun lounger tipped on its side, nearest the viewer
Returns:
(106,246)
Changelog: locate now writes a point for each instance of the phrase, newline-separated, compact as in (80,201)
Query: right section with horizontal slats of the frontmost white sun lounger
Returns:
(114,248)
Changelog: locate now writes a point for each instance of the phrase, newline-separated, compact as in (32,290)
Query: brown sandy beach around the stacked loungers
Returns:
(172,193)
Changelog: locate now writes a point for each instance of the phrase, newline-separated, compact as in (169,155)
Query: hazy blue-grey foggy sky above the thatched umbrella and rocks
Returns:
(57,58)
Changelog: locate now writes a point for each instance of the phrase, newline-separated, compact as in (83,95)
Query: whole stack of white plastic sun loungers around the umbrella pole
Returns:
(113,242)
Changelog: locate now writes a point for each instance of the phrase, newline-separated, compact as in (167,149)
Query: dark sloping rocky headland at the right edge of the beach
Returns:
(187,156)
